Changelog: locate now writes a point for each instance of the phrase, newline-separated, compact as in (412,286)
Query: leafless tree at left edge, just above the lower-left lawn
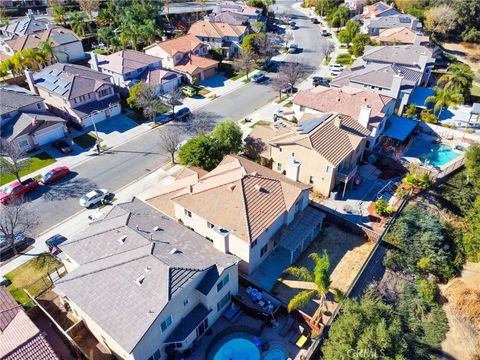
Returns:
(15,219)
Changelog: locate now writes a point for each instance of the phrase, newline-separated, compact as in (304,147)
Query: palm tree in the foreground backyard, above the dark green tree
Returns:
(319,284)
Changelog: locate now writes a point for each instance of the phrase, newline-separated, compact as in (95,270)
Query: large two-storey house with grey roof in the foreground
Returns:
(142,282)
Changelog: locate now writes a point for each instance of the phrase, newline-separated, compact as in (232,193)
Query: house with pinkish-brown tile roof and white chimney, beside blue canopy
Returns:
(369,109)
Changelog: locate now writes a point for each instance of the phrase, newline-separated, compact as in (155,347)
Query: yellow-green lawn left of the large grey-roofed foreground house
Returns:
(30,276)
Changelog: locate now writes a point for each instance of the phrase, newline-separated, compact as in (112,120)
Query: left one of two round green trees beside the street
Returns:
(202,151)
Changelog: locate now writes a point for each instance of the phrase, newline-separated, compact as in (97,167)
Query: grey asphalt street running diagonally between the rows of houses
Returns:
(136,158)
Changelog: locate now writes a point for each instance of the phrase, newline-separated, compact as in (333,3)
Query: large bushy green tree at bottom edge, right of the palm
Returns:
(367,329)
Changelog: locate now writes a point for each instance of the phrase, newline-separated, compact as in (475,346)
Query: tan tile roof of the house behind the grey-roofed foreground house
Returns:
(239,195)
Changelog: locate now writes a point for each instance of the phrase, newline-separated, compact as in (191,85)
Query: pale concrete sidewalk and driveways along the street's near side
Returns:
(142,188)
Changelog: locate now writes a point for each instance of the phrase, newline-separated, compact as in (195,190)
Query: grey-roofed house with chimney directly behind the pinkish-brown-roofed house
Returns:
(391,80)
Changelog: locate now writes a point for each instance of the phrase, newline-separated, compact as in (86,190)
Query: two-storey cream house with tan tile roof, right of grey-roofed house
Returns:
(243,208)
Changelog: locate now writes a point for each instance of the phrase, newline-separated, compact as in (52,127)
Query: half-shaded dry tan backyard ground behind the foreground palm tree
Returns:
(347,252)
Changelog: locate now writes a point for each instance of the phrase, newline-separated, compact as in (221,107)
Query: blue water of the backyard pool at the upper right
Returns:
(433,154)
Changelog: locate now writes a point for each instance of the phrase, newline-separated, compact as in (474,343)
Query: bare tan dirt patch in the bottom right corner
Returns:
(463,340)
